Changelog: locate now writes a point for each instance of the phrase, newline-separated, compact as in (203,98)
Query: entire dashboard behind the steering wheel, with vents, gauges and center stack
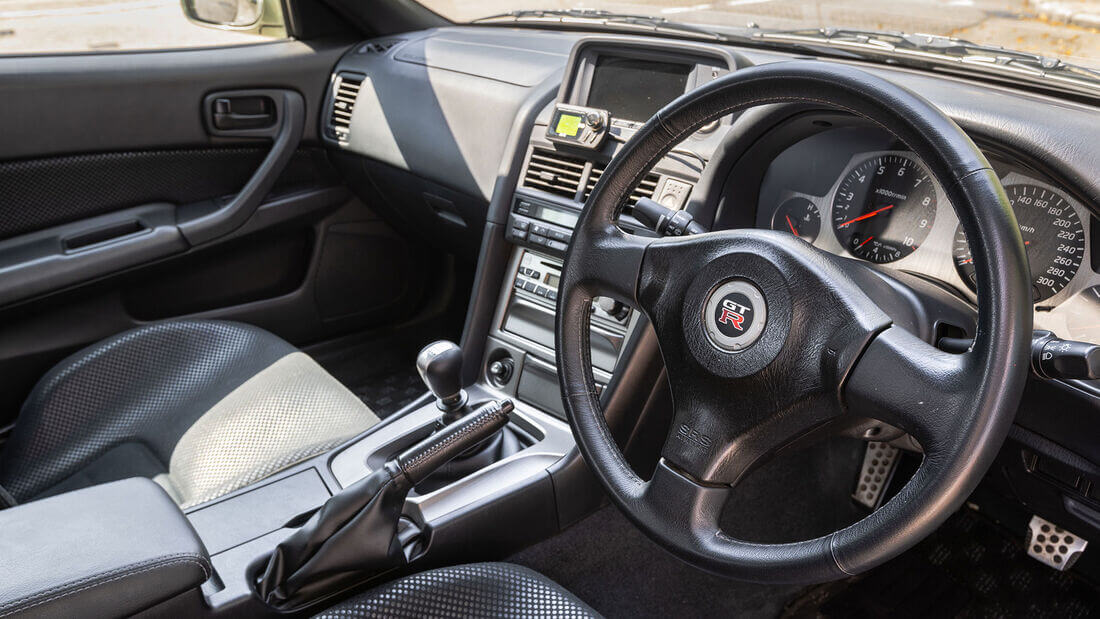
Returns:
(466,158)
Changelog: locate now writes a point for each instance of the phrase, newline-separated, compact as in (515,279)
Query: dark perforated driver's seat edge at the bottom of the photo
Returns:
(479,591)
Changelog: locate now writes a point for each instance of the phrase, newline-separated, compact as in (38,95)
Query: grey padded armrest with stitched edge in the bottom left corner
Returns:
(105,551)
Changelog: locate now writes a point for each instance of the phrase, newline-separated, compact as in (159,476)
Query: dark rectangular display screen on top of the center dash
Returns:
(633,89)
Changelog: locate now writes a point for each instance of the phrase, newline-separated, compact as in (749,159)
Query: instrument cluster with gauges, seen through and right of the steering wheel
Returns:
(856,192)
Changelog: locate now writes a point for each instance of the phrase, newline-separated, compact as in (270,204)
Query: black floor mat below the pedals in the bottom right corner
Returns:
(969,569)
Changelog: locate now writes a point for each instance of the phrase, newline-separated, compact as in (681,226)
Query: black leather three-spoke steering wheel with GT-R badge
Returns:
(766,339)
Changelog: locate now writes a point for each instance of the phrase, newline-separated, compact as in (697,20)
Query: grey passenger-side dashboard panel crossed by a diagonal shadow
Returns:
(444,113)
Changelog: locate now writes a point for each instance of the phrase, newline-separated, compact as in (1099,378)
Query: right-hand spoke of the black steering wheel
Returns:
(908,383)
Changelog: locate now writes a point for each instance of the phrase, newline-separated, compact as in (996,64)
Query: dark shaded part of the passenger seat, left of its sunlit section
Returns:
(145,386)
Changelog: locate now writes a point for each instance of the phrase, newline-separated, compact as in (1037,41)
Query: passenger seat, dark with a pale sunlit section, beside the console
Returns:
(203,408)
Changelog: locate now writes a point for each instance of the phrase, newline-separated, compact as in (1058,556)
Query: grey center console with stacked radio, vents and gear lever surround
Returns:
(527,482)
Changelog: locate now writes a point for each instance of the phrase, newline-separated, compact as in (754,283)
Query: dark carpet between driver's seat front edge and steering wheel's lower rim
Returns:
(610,565)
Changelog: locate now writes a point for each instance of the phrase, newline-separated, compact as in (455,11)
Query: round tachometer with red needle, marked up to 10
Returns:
(885,208)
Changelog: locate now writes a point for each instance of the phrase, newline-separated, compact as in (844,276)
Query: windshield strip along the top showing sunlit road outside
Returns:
(1069,30)
